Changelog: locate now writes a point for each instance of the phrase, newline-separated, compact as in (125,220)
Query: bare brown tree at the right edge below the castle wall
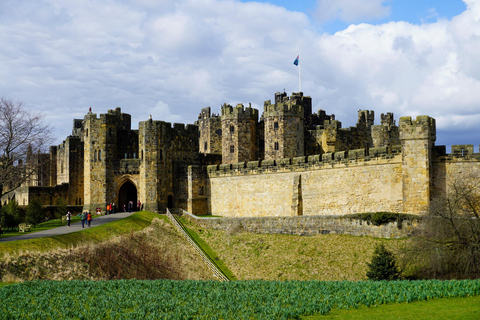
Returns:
(448,243)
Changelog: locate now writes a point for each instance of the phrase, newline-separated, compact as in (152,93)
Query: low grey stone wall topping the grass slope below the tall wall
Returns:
(306,226)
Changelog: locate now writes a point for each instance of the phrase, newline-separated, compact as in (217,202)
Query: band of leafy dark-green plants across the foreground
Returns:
(166,299)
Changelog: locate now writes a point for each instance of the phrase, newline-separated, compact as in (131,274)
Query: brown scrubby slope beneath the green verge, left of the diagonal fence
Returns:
(156,252)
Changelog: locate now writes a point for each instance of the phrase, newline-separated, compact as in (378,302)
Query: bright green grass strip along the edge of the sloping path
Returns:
(135,222)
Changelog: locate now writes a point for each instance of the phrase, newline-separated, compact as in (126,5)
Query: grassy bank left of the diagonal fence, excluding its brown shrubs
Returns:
(172,247)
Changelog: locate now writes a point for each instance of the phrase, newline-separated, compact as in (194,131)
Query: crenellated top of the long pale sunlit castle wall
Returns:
(335,160)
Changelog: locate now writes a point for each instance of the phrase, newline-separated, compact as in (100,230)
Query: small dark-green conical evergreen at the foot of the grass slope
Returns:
(383,265)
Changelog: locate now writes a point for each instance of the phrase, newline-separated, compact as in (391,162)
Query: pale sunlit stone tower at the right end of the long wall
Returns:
(417,138)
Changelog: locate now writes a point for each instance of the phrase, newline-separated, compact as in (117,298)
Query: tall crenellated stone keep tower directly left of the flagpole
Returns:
(284,126)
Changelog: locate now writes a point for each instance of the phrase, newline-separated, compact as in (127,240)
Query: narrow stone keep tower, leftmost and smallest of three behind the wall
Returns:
(210,129)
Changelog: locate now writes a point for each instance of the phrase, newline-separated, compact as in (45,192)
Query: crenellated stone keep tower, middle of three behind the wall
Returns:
(239,133)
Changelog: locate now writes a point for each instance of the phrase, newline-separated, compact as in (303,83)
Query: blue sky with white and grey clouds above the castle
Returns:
(169,59)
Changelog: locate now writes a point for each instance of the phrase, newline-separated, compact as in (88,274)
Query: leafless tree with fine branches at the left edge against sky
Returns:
(23,138)
